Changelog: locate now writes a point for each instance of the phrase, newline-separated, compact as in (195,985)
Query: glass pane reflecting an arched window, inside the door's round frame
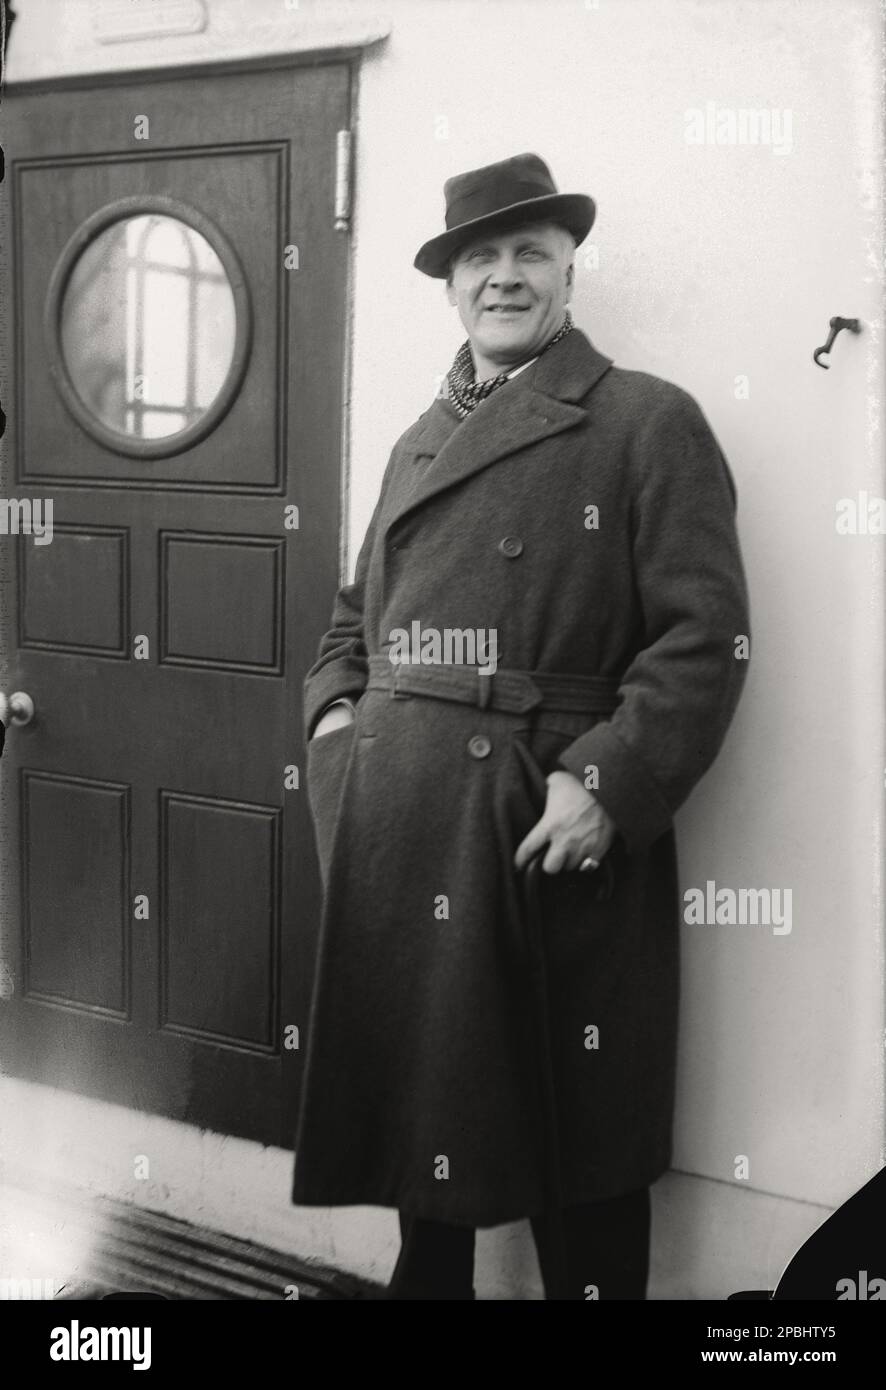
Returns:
(148,326)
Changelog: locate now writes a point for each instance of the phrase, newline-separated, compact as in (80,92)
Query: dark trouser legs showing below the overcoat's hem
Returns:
(607,1248)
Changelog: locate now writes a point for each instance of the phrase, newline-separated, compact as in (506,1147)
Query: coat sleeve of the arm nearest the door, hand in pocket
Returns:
(343,664)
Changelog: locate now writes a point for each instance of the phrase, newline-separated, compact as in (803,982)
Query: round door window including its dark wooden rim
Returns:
(150,323)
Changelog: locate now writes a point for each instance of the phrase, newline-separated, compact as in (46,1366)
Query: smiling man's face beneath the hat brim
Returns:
(511,290)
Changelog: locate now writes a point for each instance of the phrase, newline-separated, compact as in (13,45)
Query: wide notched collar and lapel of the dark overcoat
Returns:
(538,404)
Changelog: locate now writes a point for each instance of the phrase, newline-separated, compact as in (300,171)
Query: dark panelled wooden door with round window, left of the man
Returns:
(175,319)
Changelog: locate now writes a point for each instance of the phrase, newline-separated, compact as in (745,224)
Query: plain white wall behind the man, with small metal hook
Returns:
(714,262)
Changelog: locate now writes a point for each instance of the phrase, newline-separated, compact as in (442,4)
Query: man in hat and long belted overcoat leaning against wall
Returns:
(538,660)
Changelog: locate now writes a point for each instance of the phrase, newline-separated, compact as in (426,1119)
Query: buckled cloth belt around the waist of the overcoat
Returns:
(510,692)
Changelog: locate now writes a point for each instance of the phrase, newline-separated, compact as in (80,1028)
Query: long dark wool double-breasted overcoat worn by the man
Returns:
(421,1078)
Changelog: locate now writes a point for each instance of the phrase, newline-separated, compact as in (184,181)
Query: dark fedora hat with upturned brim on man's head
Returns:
(500,197)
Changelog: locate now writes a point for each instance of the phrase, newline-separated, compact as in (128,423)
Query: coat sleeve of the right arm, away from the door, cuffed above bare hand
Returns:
(682,686)
